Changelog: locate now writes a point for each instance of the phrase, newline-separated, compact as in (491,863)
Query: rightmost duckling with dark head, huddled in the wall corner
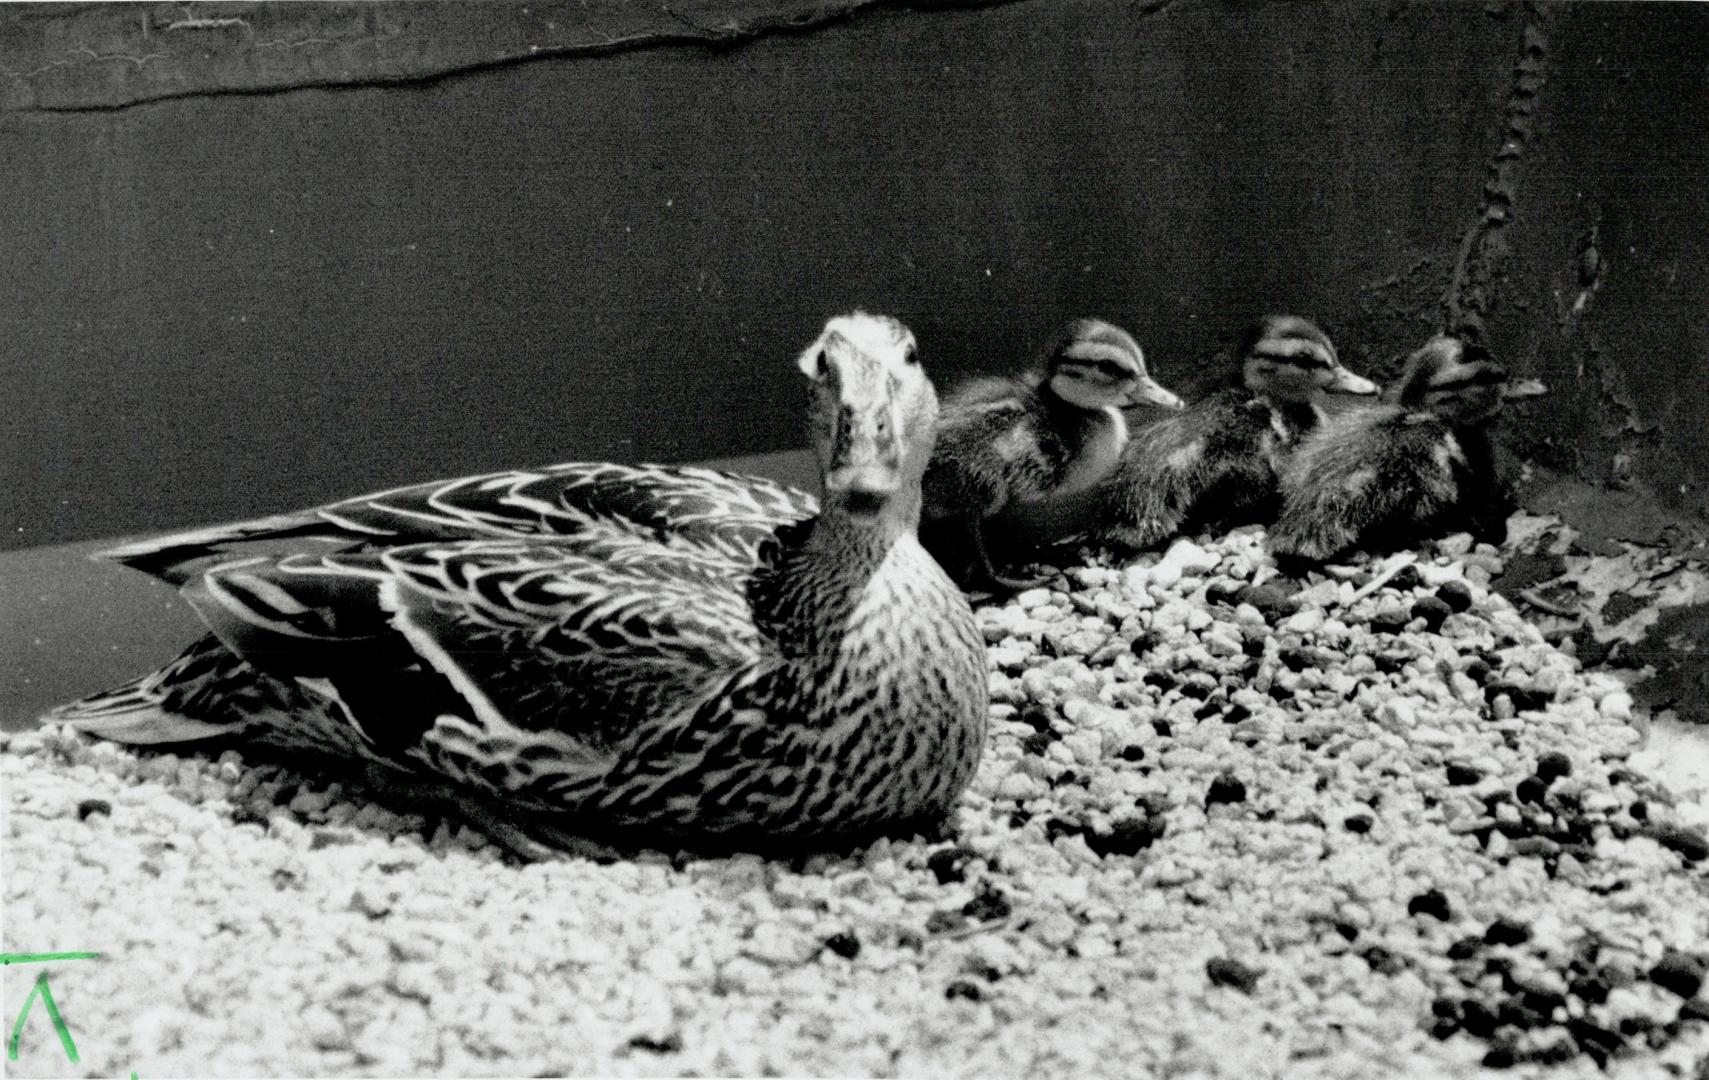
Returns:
(1412,467)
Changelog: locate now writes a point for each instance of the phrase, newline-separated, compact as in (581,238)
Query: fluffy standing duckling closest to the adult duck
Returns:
(1052,433)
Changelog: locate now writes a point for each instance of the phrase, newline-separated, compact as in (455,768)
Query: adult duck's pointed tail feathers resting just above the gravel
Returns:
(192,700)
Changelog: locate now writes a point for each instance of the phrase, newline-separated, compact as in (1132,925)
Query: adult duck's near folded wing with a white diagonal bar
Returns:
(527,667)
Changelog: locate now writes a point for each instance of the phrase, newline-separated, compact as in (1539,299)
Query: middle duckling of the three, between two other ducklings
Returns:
(1216,464)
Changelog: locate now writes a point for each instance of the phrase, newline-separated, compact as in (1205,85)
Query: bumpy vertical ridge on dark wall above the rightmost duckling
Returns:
(1474,290)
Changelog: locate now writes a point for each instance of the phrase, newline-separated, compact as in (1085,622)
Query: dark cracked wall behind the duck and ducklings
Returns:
(261,255)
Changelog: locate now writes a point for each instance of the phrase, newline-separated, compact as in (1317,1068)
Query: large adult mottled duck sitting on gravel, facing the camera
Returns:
(666,654)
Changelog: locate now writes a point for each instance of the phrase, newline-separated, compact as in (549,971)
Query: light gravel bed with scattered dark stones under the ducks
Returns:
(1224,828)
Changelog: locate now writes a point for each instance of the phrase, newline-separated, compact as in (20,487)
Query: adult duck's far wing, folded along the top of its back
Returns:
(717,515)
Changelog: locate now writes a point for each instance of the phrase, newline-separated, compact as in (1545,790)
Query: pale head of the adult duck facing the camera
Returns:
(872,414)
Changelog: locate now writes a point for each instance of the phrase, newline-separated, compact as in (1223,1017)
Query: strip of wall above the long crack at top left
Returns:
(394,44)
